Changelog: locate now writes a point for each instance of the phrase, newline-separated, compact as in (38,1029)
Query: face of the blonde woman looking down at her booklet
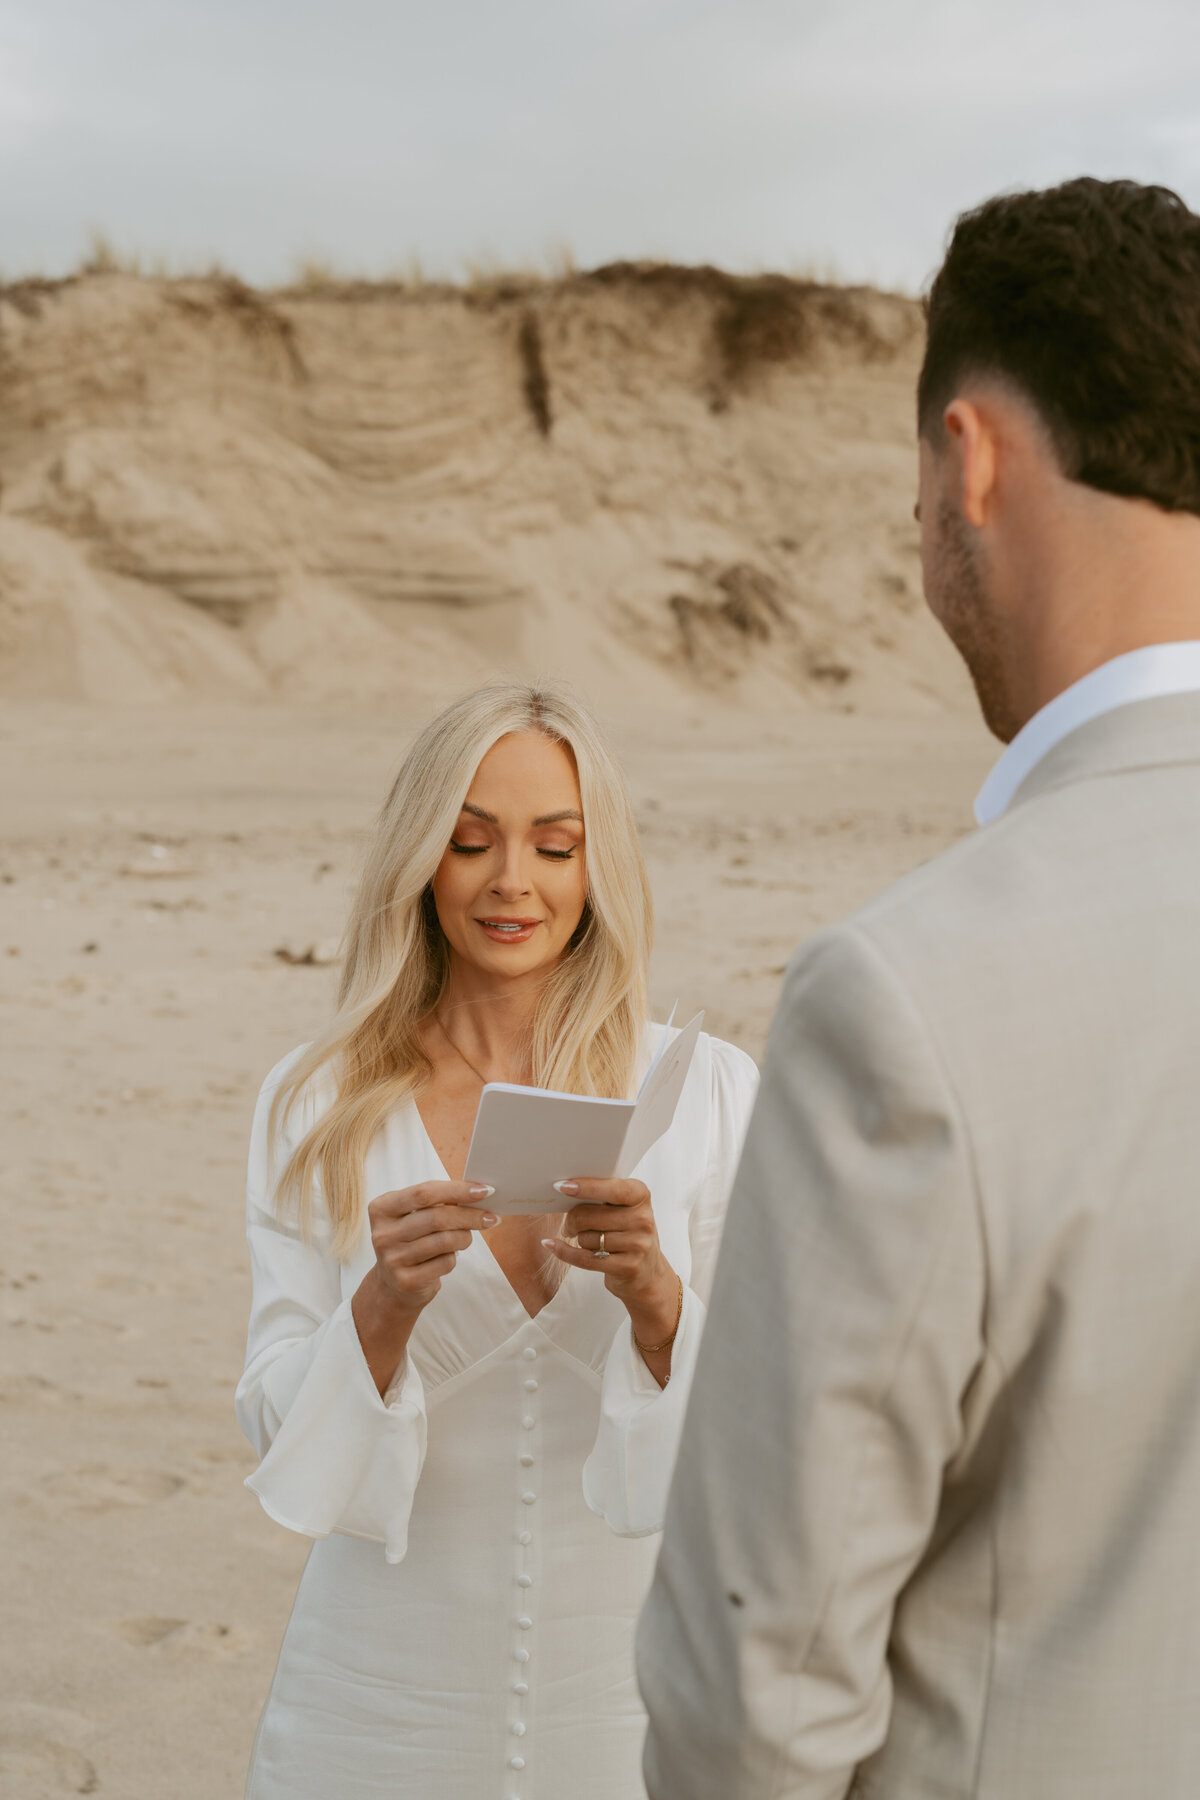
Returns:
(512,885)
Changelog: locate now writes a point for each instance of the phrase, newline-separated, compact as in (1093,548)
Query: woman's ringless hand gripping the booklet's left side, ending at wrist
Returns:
(416,1236)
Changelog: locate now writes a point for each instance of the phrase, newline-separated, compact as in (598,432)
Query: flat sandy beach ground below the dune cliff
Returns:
(147,1592)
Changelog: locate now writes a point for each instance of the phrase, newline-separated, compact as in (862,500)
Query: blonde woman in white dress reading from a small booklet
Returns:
(474,1416)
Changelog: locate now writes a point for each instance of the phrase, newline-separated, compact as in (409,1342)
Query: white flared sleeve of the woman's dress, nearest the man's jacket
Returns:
(629,1473)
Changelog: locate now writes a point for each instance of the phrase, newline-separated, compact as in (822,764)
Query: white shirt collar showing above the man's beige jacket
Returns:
(1149,674)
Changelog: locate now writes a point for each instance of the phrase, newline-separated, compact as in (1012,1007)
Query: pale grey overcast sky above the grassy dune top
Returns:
(837,136)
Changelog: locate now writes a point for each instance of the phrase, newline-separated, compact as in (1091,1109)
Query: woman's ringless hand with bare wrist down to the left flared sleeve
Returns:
(416,1236)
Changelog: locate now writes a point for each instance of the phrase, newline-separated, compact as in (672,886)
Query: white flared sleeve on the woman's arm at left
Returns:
(334,1455)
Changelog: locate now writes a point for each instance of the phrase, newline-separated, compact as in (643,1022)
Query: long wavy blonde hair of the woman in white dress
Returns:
(591,1014)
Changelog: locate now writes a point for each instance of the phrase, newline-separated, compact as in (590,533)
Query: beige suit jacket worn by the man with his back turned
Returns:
(935,1529)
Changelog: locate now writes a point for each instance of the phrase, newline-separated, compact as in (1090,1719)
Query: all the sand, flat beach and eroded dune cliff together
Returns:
(242,555)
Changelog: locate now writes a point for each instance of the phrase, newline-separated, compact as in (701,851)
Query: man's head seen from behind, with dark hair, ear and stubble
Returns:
(1059,402)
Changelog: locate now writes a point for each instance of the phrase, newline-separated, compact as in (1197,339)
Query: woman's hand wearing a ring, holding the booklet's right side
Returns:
(616,1216)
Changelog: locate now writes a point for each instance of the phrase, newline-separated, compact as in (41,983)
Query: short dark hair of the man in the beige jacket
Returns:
(1088,300)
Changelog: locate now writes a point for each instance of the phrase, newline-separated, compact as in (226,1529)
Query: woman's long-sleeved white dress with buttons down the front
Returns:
(488,1531)
